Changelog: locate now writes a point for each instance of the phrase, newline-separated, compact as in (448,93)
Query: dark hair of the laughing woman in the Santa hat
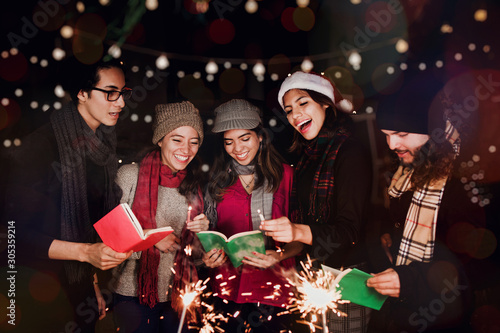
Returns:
(333,120)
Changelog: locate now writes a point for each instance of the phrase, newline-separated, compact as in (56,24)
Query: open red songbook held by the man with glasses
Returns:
(121,231)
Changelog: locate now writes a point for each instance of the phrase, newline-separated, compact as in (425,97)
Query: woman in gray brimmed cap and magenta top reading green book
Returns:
(248,179)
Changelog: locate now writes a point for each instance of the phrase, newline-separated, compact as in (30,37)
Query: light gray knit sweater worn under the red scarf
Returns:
(171,211)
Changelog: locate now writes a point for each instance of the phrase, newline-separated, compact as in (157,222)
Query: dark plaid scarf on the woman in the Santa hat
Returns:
(323,181)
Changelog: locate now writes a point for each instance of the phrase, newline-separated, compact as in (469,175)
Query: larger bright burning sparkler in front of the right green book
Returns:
(316,293)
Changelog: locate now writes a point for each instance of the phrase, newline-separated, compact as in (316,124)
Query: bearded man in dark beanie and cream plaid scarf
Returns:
(428,279)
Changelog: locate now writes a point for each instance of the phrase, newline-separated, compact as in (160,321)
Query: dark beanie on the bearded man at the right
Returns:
(409,108)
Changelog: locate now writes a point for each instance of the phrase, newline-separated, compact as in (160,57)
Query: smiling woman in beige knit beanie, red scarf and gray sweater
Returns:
(163,190)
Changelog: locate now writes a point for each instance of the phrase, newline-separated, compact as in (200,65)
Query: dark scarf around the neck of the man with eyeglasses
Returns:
(76,143)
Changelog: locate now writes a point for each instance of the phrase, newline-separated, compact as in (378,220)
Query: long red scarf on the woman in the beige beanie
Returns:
(152,173)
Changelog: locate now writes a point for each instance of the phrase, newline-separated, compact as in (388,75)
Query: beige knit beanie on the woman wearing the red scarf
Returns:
(174,115)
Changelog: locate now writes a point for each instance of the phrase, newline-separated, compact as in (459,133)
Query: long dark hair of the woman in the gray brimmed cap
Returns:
(268,167)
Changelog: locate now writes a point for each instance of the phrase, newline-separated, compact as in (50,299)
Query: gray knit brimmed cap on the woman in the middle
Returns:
(236,114)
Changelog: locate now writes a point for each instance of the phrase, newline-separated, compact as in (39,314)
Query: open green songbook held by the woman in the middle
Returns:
(236,247)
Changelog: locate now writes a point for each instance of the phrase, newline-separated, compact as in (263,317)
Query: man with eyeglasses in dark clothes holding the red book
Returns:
(61,183)
